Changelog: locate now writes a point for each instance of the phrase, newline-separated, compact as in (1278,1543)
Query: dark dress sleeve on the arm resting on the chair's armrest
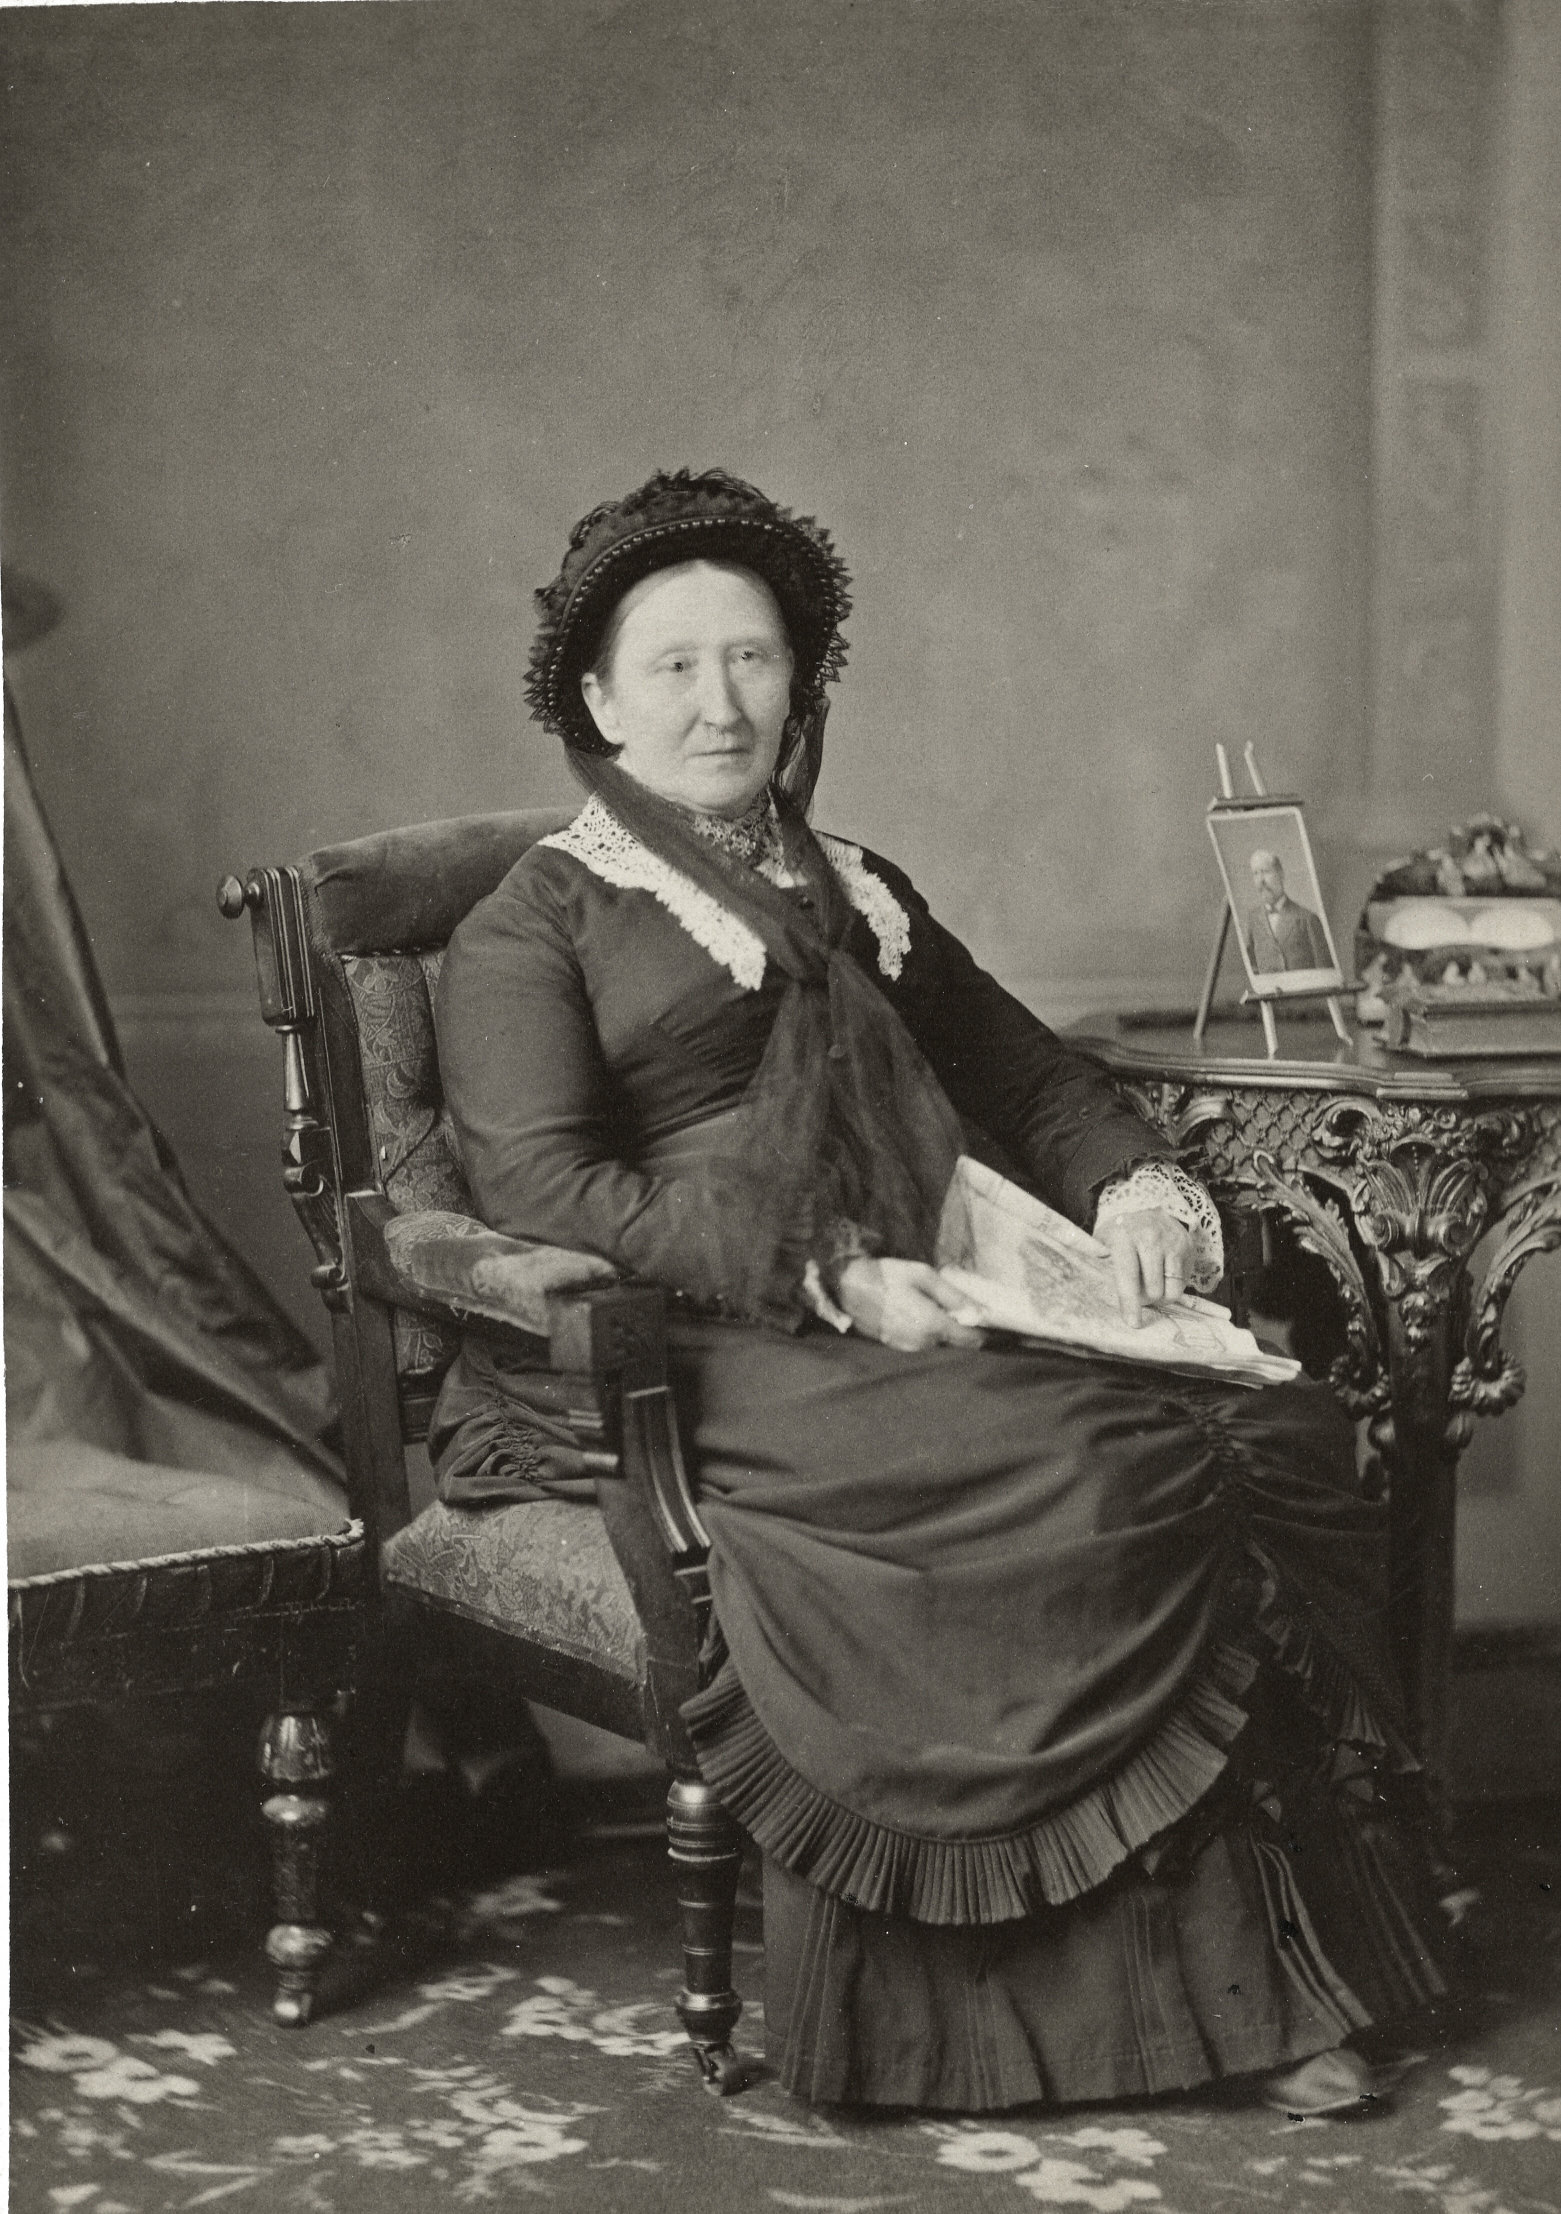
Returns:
(533,1104)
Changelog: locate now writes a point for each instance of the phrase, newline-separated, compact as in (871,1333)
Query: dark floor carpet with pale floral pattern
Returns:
(515,2036)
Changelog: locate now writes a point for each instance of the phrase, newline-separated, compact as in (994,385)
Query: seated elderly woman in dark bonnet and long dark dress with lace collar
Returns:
(1053,1690)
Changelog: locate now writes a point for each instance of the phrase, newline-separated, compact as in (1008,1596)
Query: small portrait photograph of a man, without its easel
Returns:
(1276,902)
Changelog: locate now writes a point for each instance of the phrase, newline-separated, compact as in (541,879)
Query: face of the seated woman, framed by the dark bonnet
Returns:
(696,687)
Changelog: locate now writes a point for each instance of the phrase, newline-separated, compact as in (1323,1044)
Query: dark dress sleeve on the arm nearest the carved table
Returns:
(1053,1110)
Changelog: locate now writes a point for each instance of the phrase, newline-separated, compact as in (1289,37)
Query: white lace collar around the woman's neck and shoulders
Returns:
(617,856)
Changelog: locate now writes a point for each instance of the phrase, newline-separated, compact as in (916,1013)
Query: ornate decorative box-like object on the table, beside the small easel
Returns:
(1476,913)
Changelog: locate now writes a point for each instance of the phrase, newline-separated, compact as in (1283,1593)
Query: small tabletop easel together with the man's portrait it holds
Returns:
(1274,900)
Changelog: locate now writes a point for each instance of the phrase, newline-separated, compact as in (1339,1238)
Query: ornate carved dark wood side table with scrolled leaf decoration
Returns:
(1392,1170)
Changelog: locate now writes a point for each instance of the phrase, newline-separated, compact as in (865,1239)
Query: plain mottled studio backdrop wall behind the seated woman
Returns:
(1079,324)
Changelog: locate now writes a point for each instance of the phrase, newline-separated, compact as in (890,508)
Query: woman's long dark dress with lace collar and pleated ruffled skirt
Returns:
(1053,1690)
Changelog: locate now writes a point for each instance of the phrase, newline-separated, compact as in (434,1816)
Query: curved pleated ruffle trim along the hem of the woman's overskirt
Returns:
(969,1881)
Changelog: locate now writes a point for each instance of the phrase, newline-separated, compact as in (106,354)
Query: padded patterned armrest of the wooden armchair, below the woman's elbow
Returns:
(444,1263)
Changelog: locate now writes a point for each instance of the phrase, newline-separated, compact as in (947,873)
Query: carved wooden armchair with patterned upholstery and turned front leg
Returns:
(599,1611)
